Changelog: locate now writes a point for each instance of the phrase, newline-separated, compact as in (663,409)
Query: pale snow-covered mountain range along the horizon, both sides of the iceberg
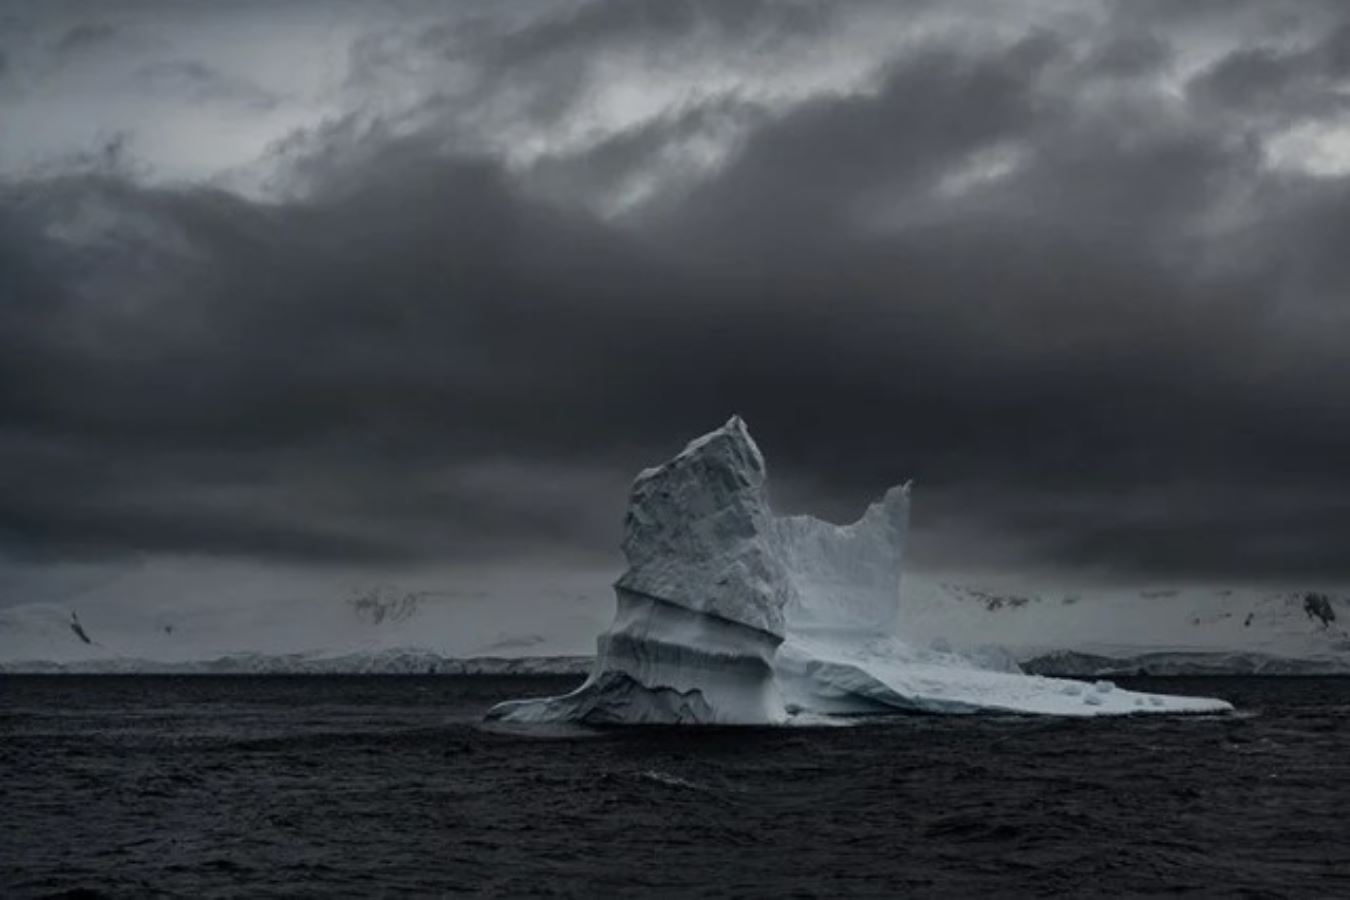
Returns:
(389,629)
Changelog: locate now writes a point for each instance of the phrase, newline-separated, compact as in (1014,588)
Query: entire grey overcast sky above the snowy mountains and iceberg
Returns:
(406,285)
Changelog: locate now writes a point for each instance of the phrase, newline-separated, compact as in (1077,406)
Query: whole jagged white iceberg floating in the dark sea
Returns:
(732,616)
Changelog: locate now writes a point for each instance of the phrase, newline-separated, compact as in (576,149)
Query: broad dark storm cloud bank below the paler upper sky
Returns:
(1100,333)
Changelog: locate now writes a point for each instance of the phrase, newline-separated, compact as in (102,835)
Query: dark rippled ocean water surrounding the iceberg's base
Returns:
(388,787)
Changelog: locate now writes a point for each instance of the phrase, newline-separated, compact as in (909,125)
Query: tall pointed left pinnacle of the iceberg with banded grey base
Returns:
(703,607)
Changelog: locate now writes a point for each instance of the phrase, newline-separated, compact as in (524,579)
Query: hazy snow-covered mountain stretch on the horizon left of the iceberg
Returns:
(383,629)
